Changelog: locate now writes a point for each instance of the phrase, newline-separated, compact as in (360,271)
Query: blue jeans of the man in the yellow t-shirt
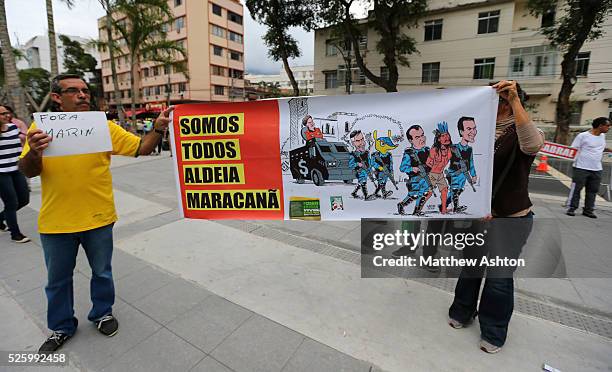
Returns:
(60,257)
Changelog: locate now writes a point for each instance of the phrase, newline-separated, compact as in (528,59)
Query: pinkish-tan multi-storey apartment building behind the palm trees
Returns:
(212,33)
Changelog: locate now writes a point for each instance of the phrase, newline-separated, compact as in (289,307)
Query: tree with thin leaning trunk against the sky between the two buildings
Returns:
(279,16)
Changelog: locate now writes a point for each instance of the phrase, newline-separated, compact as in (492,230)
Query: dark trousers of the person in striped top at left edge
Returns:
(15,195)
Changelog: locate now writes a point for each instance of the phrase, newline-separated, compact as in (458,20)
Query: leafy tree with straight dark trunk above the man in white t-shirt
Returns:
(581,21)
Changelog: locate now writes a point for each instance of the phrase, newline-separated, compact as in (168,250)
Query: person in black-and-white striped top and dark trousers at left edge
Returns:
(14,190)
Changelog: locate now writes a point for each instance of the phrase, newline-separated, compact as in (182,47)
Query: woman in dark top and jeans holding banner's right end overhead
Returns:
(517,140)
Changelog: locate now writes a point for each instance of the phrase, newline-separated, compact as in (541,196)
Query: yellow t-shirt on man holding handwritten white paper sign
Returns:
(77,190)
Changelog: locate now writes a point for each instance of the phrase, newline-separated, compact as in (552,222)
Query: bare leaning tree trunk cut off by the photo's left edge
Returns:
(11,78)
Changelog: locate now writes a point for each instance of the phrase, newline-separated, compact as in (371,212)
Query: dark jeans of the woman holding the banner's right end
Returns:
(497,298)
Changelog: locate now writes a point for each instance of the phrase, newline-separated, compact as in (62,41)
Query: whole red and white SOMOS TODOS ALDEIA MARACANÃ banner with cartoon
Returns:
(421,154)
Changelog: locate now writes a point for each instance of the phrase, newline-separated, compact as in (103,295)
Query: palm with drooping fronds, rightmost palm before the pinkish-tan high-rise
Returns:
(144,35)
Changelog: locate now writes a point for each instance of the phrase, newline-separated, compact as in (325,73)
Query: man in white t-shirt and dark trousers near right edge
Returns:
(587,166)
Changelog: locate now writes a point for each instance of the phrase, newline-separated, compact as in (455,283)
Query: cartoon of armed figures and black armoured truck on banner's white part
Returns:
(382,161)
